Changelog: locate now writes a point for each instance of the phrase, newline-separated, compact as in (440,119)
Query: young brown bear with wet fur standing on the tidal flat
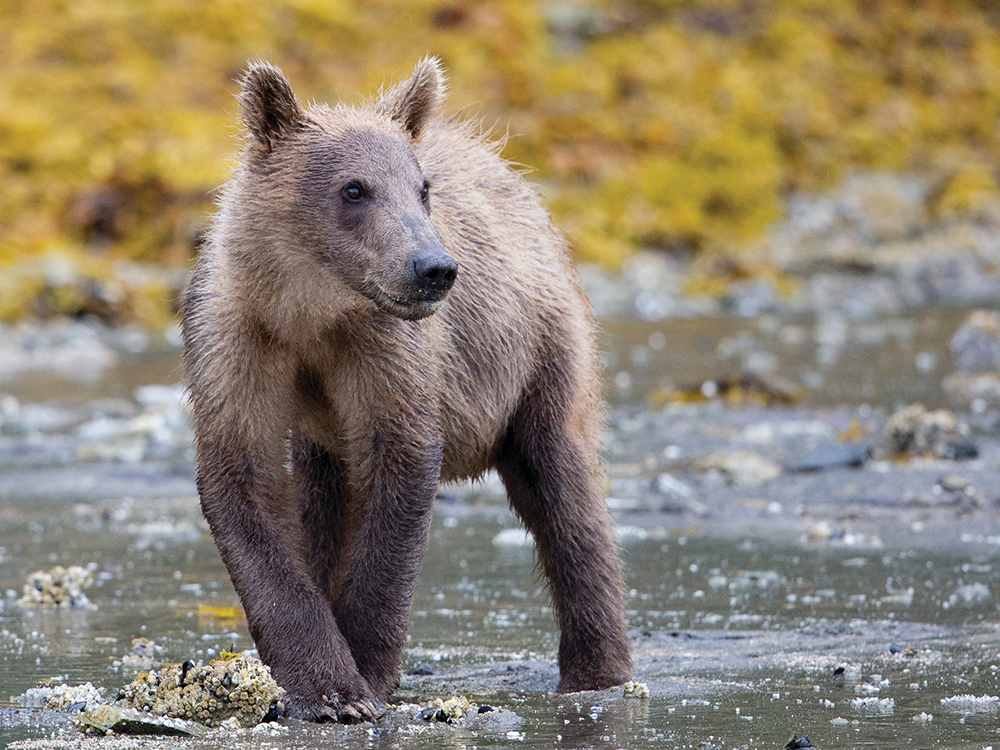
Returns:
(382,303)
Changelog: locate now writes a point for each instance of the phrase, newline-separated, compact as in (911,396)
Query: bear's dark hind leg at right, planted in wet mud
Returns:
(550,466)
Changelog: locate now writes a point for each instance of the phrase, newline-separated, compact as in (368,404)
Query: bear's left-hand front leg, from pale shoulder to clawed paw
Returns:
(240,407)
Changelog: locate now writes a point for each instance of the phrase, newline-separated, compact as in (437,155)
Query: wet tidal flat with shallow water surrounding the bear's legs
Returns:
(855,604)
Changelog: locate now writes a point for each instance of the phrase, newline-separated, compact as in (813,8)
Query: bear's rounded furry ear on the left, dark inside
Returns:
(270,109)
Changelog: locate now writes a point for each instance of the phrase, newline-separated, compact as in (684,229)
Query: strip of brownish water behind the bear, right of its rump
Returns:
(834,361)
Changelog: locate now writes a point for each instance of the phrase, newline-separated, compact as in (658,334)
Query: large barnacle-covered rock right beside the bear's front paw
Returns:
(230,686)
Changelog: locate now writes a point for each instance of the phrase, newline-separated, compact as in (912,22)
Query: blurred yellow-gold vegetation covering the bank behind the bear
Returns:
(668,124)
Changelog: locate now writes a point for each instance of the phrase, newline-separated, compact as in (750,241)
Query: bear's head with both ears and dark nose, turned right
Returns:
(340,194)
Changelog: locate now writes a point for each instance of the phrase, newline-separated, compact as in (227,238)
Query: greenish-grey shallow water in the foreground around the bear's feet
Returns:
(713,608)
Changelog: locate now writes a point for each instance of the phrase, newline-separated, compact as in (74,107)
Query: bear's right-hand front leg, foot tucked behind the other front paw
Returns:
(394,473)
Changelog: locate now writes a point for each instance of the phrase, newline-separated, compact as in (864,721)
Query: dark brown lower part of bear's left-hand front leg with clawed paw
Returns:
(289,619)
